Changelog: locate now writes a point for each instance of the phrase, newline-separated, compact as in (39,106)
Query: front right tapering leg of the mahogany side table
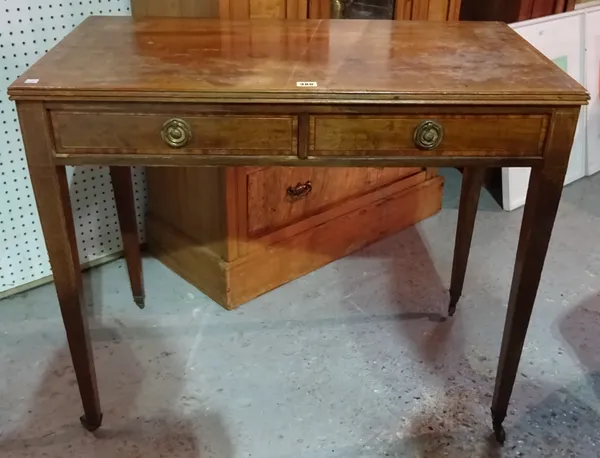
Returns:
(545,189)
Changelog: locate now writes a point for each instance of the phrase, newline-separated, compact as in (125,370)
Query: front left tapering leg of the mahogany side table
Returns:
(51,191)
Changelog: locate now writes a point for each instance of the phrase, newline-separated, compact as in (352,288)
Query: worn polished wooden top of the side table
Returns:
(380,61)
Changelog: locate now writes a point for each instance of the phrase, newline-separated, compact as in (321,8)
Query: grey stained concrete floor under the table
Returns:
(349,361)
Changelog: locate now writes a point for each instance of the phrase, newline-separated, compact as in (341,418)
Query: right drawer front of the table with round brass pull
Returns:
(462,135)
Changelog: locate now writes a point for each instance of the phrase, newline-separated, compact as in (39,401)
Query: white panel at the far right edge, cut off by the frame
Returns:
(592,81)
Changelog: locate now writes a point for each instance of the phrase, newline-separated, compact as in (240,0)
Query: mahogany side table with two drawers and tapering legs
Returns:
(191,92)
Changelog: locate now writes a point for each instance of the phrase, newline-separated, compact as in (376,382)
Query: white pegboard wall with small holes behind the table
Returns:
(28,29)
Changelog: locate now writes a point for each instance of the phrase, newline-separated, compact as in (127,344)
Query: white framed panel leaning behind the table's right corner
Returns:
(560,38)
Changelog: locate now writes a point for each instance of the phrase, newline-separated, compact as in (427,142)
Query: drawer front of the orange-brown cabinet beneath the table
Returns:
(280,196)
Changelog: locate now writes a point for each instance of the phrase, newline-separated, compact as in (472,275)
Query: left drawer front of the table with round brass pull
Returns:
(165,134)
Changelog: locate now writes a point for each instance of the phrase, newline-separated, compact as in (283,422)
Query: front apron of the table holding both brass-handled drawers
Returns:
(135,134)
